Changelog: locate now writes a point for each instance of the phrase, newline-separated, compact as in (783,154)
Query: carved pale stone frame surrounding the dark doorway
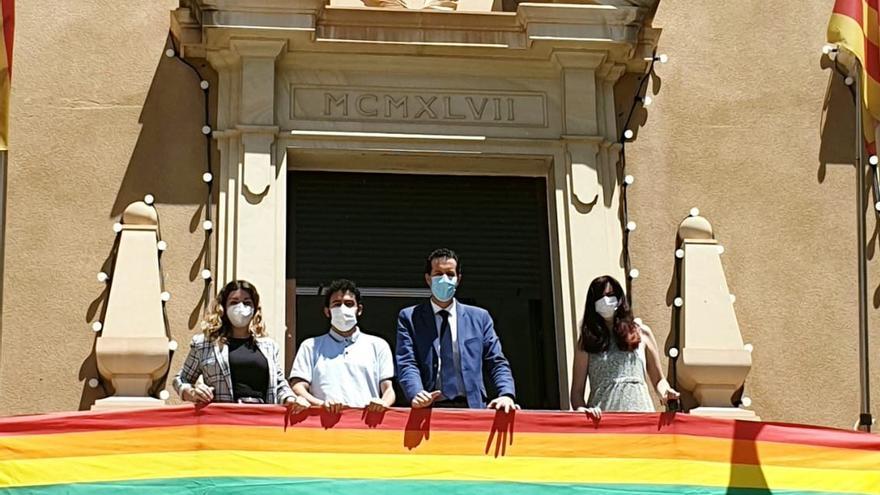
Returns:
(579,51)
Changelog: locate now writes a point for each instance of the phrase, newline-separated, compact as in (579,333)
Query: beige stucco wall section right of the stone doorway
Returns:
(736,131)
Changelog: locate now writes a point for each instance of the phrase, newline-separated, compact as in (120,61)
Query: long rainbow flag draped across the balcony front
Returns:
(236,449)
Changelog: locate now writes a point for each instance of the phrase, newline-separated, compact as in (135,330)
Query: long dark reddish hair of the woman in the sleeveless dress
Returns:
(594,335)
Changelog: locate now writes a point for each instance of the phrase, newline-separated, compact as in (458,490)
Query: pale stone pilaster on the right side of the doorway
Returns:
(588,174)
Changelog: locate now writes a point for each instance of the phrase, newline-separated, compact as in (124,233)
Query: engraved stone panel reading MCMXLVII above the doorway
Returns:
(503,108)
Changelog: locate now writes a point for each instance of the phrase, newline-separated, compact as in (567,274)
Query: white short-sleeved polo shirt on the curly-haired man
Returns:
(344,369)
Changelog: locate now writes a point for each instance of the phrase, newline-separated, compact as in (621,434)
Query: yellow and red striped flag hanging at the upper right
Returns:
(854,26)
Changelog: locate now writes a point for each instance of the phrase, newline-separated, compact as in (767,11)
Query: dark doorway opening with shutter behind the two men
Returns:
(377,229)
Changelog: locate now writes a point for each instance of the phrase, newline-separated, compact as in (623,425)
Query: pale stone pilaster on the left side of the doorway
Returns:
(252,189)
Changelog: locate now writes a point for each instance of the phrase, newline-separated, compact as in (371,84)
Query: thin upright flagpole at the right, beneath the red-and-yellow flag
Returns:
(865,419)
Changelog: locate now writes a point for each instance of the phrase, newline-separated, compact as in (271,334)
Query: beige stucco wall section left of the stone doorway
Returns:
(99,118)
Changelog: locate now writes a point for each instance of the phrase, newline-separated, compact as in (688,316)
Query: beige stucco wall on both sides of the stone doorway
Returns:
(100,117)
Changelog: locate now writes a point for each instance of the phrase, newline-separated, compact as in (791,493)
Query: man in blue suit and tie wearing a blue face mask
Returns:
(444,346)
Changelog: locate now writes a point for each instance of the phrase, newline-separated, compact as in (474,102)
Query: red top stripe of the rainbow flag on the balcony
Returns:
(407,422)
